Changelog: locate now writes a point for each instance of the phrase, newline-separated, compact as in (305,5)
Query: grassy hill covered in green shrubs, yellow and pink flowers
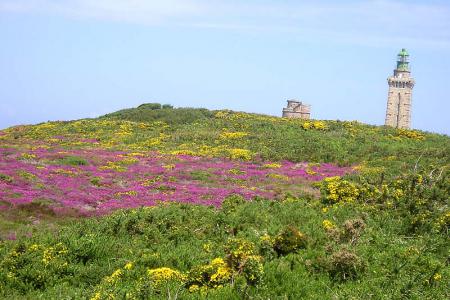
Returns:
(162,202)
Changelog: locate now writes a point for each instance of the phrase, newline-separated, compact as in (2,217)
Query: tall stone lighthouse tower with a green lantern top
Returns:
(398,111)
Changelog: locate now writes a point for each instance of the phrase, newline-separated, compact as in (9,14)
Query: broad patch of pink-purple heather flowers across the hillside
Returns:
(108,180)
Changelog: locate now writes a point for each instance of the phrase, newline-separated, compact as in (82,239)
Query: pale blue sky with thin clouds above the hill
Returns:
(68,59)
